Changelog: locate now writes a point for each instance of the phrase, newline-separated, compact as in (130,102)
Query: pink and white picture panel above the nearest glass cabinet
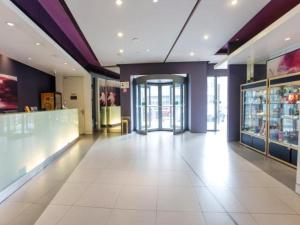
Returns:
(284,65)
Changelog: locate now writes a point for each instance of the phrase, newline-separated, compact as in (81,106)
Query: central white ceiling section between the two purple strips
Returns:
(150,29)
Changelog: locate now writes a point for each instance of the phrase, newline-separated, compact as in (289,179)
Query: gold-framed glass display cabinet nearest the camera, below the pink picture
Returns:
(284,103)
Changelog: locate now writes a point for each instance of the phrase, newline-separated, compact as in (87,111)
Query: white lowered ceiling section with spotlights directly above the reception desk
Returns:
(24,41)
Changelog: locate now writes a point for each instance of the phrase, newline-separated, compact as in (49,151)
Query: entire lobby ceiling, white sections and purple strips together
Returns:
(103,34)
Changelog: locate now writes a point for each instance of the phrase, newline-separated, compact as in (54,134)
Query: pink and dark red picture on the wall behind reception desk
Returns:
(8,92)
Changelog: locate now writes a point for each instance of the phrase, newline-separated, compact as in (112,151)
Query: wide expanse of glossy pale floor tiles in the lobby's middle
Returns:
(161,179)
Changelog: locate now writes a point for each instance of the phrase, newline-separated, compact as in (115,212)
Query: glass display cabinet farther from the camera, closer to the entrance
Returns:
(254,115)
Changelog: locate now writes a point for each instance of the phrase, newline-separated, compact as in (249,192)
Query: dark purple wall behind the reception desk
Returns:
(31,82)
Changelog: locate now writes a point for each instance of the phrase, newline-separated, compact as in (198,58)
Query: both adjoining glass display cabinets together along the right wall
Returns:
(269,118)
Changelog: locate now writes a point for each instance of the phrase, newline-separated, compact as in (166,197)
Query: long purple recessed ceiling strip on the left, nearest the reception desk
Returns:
(54,18)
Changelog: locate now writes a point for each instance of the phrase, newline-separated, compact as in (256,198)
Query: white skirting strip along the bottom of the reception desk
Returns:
(24,179)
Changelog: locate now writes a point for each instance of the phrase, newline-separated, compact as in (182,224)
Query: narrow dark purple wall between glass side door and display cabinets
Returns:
(237,76)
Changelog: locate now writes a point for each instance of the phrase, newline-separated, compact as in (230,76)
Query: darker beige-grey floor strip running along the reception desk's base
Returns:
(26,205)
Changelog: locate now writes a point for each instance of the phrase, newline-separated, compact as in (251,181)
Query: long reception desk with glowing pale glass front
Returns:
(30,141)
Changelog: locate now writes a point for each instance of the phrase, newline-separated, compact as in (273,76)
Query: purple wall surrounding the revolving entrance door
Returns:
(196,71)
